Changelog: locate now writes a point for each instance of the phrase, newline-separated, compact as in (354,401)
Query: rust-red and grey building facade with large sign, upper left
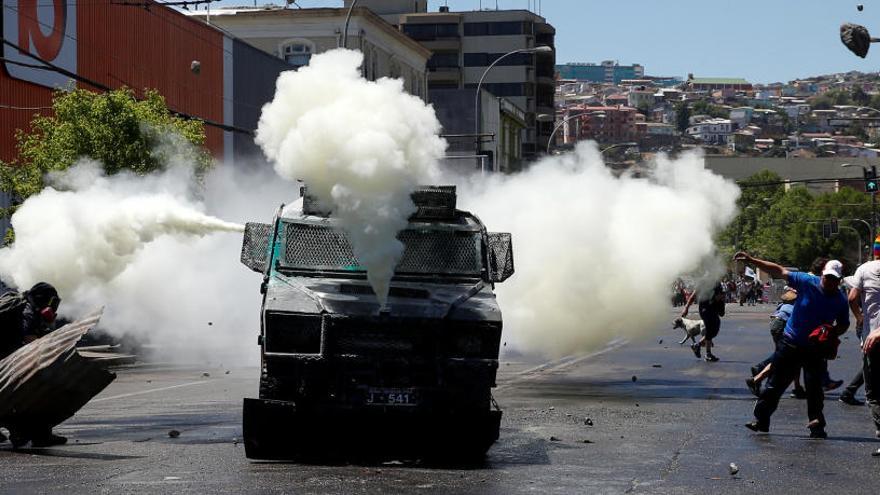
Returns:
(113,45)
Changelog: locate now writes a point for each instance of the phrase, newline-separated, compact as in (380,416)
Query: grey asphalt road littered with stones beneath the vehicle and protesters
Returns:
(675,429)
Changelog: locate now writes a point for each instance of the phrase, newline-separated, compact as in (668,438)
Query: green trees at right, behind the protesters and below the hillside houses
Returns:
(786,226)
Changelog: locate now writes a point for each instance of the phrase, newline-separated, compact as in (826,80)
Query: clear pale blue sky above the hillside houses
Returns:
(761,40)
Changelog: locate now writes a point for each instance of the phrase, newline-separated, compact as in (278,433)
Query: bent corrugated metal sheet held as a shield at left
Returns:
(46,381)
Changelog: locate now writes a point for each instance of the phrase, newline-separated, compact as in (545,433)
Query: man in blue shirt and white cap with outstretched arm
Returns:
(820,302)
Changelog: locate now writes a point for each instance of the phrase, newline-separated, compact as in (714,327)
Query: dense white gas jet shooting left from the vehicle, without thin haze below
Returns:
(88,230)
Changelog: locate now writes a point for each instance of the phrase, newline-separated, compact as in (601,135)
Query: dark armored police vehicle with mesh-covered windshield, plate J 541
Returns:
(340,374)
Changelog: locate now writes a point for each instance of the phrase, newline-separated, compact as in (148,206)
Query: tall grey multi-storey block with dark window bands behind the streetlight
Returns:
(464,44)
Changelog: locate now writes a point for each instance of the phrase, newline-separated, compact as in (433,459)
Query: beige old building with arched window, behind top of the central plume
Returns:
(295,35)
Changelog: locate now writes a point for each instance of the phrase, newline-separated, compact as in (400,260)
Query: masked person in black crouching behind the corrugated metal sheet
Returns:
(24,318)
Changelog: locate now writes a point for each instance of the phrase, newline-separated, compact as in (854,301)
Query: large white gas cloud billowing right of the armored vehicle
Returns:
(595,254)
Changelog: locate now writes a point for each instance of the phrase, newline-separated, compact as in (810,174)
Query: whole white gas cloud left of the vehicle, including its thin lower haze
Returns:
(153,251)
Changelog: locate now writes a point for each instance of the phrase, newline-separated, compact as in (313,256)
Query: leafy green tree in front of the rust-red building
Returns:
(115,128)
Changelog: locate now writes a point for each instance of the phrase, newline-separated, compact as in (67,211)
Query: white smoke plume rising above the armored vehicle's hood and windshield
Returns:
(361,147)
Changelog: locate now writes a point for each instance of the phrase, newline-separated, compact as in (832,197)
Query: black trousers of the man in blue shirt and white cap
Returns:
(787,362)
